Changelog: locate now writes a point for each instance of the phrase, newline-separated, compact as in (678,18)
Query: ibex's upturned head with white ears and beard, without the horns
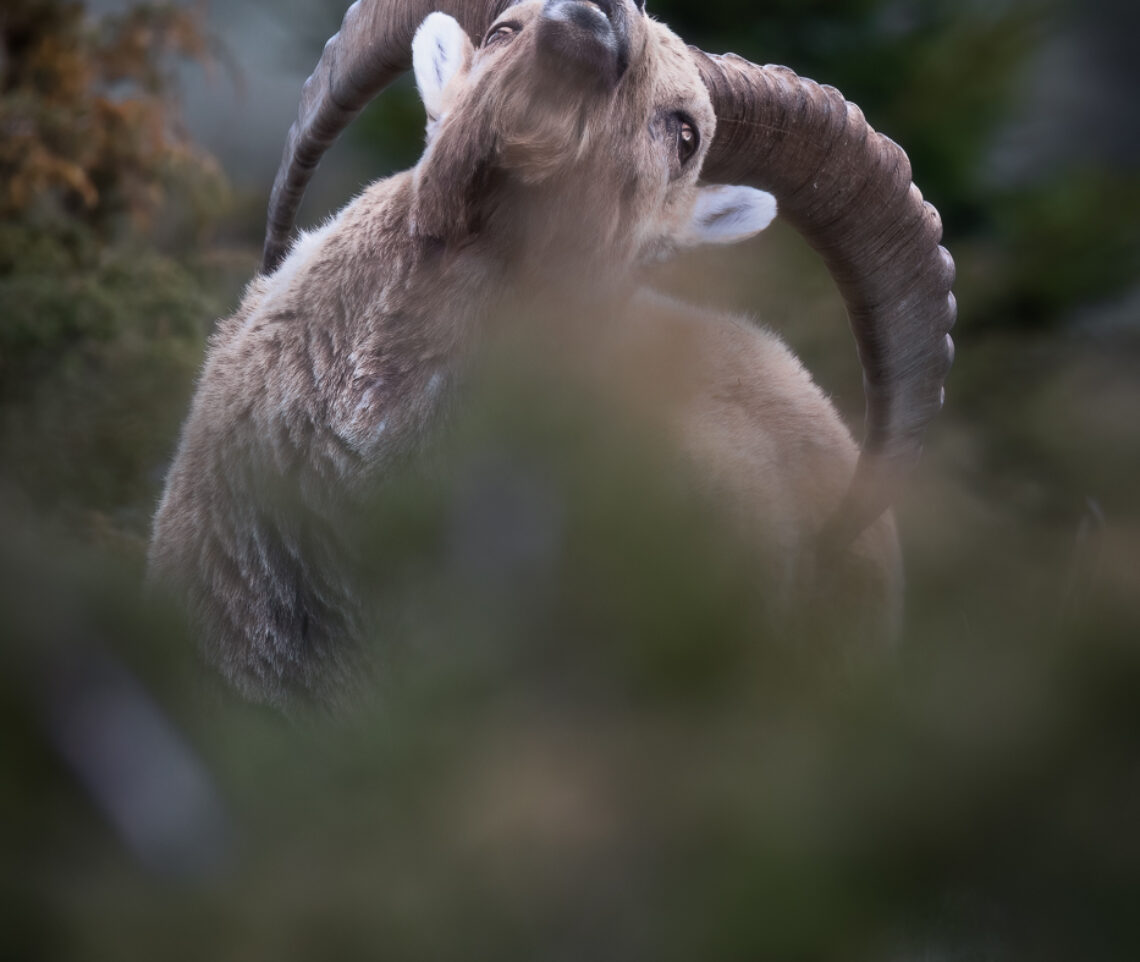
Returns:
(575,131)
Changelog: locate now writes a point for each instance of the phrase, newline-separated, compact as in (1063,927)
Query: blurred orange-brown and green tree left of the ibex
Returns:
(107,209)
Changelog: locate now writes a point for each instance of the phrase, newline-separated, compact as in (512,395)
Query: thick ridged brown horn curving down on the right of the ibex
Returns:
(850,192)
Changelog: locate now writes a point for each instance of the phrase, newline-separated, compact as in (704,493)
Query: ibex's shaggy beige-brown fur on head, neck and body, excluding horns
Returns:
(338,364)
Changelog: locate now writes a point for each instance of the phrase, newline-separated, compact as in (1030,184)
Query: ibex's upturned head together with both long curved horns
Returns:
(596,118)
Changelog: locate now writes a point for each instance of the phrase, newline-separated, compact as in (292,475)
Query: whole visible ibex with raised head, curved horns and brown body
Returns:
(571,143)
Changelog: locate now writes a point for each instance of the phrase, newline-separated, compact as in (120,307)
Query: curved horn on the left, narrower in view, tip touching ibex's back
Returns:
(372,48)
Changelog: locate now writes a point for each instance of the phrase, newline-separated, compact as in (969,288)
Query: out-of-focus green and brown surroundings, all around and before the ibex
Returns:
(581,747)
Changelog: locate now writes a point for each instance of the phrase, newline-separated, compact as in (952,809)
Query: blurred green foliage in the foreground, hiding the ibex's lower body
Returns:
(596,757)
